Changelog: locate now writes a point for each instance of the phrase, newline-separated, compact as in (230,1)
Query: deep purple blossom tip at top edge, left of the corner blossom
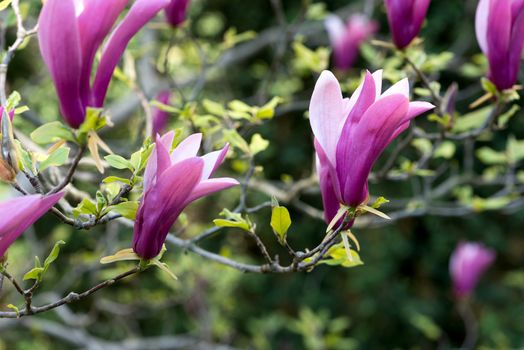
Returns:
(405,19)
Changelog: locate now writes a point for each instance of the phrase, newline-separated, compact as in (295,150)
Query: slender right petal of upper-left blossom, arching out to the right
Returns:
(140,13)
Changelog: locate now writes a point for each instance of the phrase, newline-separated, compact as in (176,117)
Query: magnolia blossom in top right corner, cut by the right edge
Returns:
(500,33)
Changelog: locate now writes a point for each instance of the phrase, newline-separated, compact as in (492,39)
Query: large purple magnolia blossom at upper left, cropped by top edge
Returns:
(71,32)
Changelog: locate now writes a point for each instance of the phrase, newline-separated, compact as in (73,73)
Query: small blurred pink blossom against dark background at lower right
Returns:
(468,262)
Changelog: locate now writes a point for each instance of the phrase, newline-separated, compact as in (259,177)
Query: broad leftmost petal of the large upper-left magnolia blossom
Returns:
(60,47)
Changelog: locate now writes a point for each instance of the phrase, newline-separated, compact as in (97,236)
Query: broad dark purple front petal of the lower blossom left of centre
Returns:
(162,205)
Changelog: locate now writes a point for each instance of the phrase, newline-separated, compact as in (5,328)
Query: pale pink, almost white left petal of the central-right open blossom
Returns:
(327,113)
